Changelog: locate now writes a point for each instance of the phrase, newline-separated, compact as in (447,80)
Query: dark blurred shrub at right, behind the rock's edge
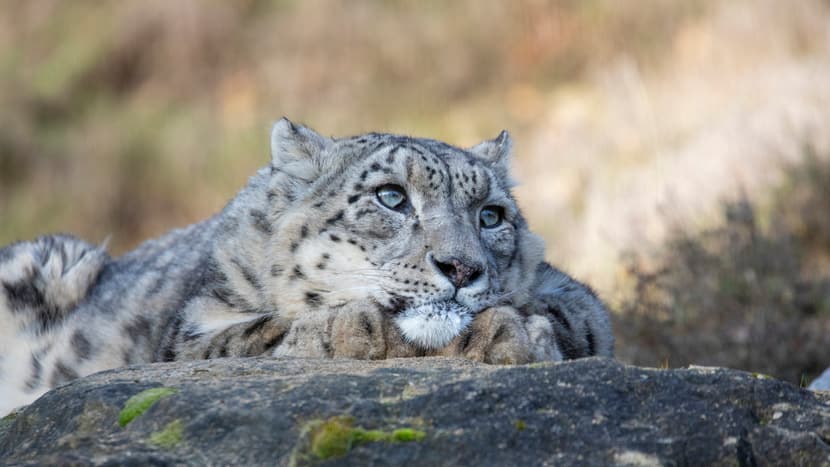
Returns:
(746,293)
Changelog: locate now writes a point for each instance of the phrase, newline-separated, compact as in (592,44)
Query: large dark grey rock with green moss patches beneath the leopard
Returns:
(427,411)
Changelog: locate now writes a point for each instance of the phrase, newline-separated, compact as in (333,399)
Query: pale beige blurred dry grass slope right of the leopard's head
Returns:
(735,96)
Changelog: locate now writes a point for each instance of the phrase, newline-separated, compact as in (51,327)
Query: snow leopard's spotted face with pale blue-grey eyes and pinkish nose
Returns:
(427,230)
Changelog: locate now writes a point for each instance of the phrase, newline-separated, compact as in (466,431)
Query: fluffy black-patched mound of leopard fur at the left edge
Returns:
(42,281)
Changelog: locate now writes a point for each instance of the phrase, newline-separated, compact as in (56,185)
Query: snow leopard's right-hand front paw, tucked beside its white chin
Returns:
(497,336)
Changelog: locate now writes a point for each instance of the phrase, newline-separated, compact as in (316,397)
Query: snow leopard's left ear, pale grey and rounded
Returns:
(298,151)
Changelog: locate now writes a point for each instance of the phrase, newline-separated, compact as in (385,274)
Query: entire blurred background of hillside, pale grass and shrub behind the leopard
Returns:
(676,155)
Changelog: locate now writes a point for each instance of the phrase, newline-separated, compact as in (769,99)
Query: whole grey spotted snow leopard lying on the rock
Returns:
(370,247)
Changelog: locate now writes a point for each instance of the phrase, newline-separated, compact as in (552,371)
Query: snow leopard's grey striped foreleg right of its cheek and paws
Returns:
(579,318)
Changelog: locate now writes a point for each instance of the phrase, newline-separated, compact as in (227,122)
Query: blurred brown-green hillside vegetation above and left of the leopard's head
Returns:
(125,119)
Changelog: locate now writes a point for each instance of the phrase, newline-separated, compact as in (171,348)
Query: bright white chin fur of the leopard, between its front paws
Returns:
(433,325)
